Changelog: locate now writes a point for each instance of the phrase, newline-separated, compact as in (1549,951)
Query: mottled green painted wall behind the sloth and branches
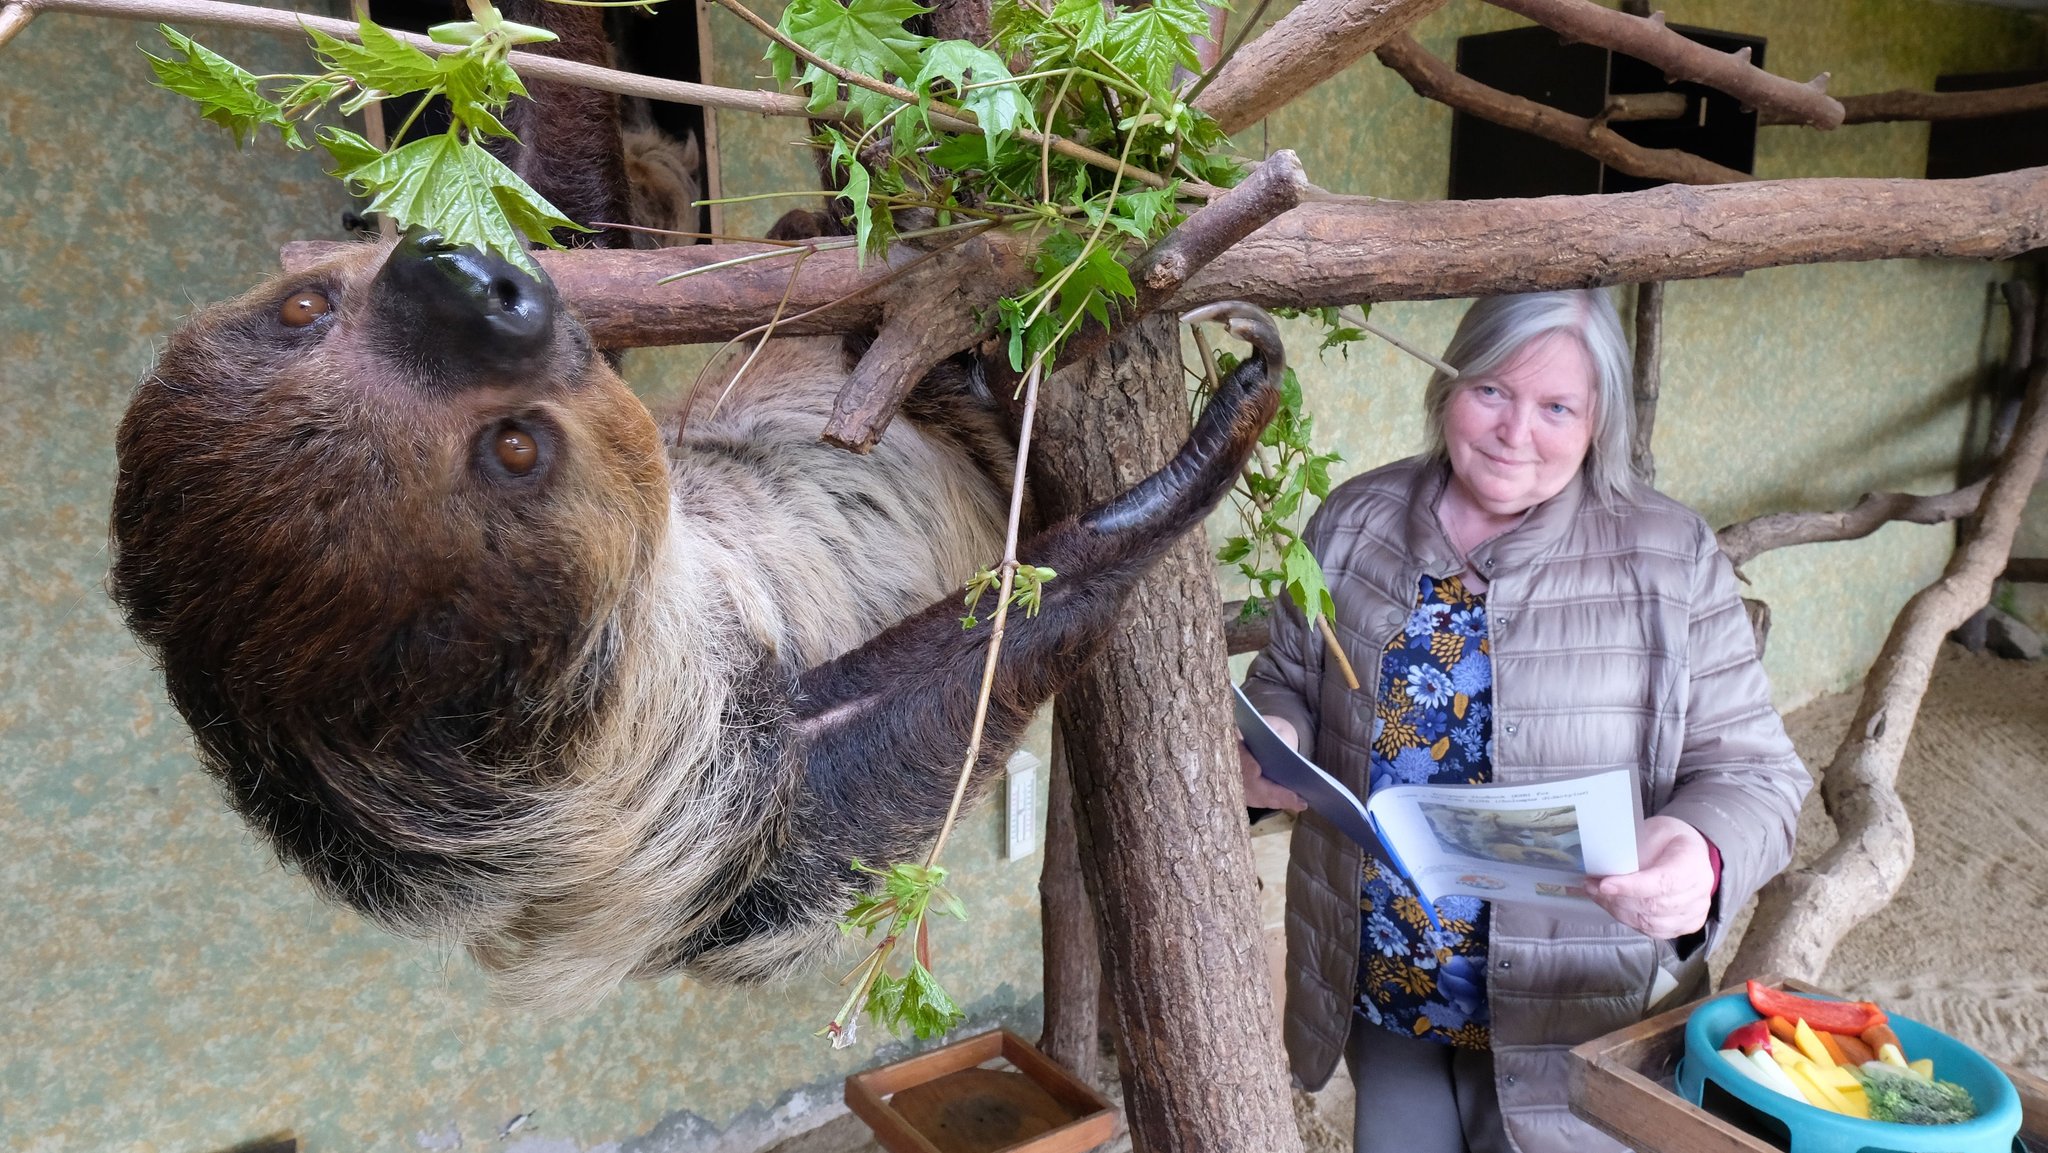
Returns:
(169,988)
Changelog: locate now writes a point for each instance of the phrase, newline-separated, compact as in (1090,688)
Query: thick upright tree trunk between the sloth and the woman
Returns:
(1158,800)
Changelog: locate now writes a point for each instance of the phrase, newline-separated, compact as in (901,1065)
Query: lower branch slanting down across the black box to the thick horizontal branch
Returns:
(1437,81)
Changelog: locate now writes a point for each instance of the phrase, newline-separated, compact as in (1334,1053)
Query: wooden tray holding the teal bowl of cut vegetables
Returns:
(1623,1086)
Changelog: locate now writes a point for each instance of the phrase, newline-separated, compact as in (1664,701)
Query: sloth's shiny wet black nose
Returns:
(462,310)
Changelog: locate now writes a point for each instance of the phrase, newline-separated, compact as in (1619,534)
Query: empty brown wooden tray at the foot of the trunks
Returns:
(947,1103)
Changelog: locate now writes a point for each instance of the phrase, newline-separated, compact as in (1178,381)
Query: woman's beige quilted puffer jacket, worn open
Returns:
(1619,640)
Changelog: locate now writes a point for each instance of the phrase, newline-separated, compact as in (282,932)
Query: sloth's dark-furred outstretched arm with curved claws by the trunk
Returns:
(880,732)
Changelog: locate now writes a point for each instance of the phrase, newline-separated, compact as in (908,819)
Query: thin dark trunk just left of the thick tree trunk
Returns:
(1072,951)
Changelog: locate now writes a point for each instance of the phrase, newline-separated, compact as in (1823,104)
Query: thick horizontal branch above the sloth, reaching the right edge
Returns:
(1349,251)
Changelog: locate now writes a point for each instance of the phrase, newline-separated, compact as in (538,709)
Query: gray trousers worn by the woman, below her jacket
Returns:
(1422,1097)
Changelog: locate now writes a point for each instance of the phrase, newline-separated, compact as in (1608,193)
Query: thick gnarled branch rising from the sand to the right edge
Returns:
(1805,912)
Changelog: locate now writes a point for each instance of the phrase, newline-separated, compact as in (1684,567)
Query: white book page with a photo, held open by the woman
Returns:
(1512,843)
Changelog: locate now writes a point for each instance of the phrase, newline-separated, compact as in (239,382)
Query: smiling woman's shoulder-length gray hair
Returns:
(1496,329)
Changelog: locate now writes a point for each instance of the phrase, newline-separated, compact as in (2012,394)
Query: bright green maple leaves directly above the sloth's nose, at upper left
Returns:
(447,181)
